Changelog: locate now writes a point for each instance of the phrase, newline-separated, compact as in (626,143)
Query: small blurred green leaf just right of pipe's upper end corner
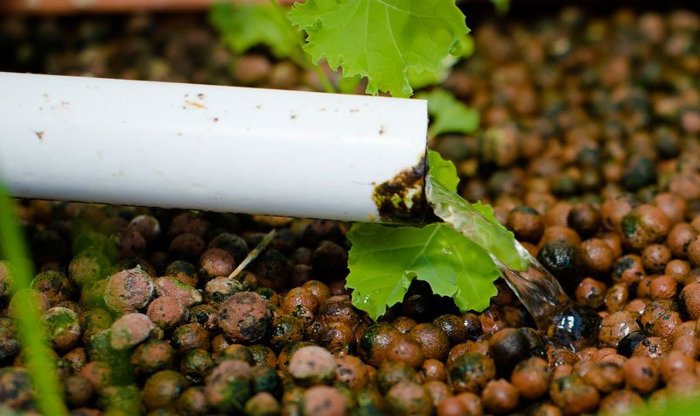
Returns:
(449,115)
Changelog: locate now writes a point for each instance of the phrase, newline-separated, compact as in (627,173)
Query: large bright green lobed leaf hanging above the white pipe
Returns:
(382,40)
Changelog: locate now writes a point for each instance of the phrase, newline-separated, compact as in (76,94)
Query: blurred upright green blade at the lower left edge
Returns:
(30,324)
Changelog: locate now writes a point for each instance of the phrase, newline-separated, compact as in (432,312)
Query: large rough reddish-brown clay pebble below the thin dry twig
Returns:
(245,317)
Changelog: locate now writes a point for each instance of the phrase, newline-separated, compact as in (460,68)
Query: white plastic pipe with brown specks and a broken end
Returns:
(204,147)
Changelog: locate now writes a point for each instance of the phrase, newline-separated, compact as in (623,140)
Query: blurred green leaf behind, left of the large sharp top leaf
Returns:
(245,26)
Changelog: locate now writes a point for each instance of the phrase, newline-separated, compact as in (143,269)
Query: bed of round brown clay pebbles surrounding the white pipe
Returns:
(588,151)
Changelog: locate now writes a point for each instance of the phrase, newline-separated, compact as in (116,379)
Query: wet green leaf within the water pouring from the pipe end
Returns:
(477,222)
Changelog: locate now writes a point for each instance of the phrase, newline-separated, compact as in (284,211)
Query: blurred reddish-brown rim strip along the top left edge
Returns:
(107,6)
